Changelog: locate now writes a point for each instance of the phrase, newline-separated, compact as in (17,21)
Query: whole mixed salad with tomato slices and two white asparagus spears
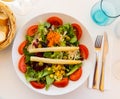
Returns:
(51,53)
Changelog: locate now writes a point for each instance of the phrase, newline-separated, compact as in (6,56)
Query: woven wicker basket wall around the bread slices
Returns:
(11,25)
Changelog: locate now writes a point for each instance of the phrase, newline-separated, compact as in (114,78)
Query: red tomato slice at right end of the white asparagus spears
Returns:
(84,51)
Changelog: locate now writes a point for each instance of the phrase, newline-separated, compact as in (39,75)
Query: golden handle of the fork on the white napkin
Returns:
(95,79)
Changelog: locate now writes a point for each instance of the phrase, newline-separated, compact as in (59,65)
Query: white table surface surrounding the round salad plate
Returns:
(11,86)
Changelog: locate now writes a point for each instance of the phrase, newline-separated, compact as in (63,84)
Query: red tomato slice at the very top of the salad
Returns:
(55,21)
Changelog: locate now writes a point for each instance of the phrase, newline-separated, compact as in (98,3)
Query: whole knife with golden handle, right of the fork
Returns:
(105,51)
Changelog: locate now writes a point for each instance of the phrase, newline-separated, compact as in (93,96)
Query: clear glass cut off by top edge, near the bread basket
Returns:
(20,7)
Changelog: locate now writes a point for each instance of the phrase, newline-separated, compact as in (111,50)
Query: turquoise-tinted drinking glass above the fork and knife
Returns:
(105,12)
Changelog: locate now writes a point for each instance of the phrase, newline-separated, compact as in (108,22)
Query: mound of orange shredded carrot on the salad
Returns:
(53,38)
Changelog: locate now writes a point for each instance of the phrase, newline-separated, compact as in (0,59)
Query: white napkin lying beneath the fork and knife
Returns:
(107,68)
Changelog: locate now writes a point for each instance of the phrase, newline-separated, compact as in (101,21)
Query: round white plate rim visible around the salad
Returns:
(87,64)
